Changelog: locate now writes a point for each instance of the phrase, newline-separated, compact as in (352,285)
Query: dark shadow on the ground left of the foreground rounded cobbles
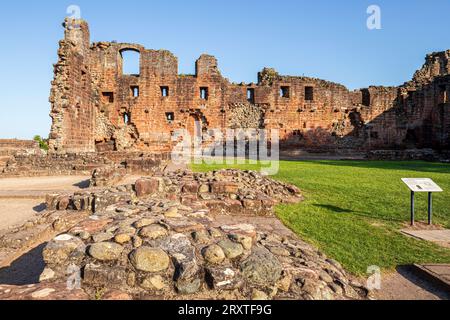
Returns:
(25,270)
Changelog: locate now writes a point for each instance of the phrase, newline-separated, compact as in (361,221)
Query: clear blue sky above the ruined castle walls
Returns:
(322,38)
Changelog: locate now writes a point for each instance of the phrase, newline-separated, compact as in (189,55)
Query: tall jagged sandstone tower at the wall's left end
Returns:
(71,94)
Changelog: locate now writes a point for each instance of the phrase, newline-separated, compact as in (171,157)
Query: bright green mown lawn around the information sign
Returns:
(354,209)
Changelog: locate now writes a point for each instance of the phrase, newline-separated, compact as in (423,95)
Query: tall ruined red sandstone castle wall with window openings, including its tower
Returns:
(96,107)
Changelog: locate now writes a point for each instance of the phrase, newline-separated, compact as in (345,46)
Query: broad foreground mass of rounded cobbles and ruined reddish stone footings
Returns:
(181,235)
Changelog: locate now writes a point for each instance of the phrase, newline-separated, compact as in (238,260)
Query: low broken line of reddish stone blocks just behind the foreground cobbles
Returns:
(222,192)
